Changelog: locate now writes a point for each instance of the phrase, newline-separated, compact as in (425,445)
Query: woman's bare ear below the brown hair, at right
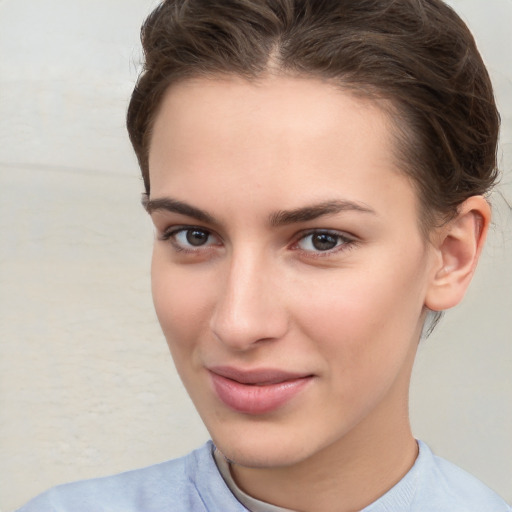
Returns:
(457,247)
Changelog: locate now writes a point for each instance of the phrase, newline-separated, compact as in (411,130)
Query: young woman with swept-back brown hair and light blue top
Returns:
(316,173)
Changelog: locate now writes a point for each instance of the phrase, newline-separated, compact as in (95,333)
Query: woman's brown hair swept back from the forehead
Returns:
(418,55)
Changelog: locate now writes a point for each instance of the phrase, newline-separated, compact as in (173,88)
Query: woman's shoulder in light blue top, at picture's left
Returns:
(175,485)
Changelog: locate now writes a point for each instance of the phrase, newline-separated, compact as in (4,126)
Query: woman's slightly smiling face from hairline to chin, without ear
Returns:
(289,272)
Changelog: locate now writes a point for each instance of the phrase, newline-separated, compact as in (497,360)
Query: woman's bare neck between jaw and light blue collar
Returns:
(346,476)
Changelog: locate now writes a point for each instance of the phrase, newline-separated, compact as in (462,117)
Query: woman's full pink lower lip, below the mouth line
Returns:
(252,399)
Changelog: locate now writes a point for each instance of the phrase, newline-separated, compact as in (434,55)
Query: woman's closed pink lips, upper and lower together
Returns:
(256,391)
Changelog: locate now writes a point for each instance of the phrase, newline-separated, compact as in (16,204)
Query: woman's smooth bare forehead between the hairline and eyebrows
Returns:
(291,139)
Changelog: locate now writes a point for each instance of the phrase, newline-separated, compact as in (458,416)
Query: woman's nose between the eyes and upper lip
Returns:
(249,308)
